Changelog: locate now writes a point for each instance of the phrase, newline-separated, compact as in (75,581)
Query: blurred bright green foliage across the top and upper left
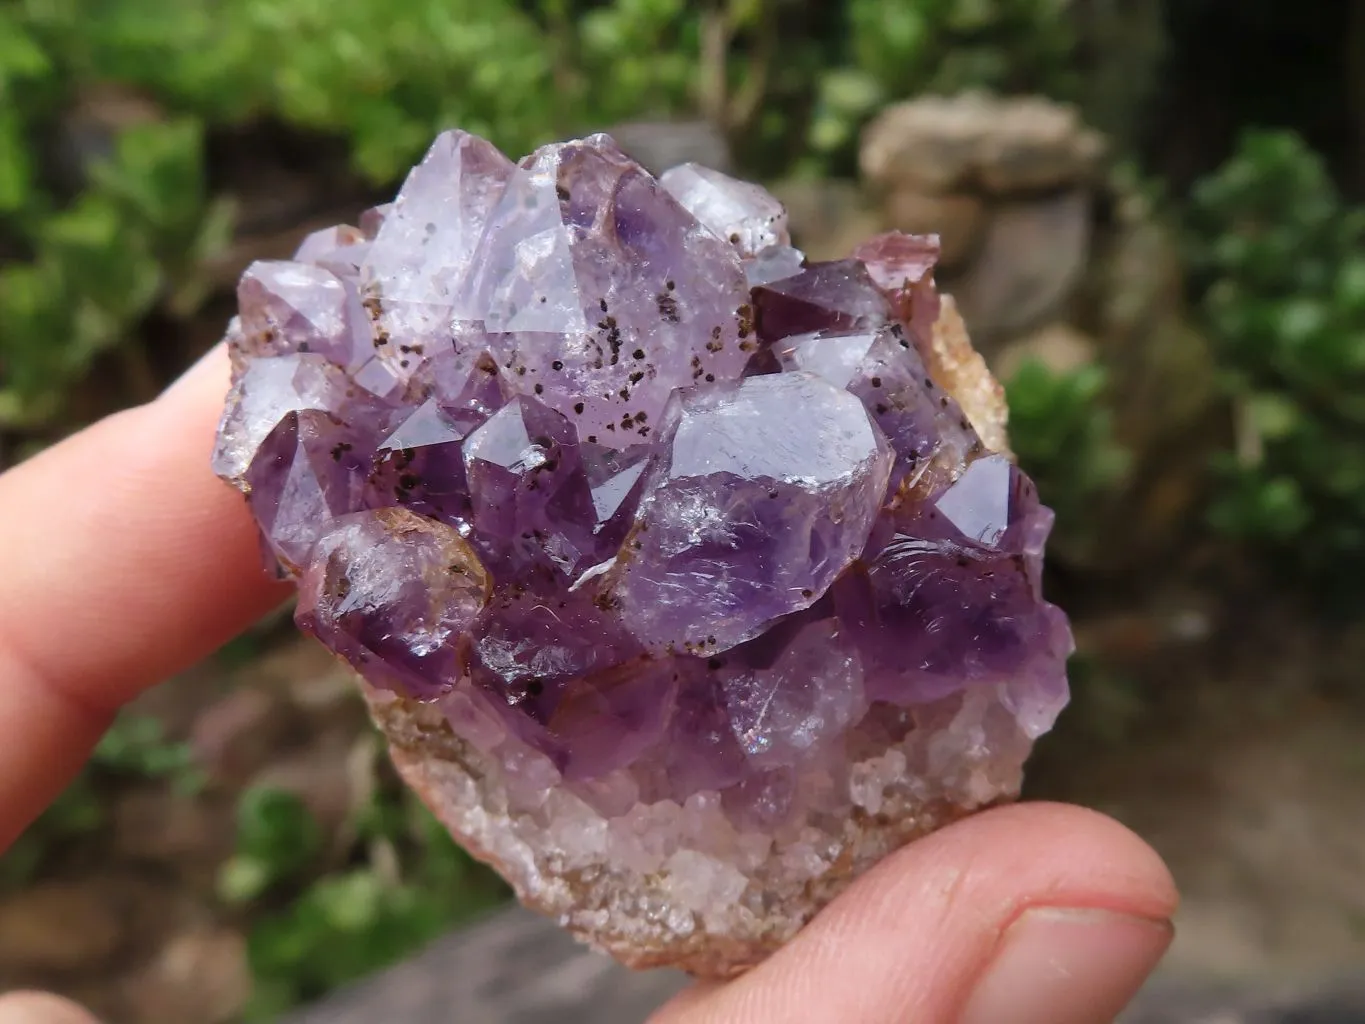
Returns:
(102,226)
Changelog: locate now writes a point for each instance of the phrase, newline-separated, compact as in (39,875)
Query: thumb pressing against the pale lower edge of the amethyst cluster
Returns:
(1037,914)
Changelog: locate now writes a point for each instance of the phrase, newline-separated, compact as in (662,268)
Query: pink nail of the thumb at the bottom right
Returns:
(1068,967)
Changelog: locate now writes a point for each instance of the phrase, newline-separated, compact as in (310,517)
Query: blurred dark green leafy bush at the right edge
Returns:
(1278,263)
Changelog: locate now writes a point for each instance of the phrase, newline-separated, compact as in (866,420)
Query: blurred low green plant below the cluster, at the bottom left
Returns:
(402,884)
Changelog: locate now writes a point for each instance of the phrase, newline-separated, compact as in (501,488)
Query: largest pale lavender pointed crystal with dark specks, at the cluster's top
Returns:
(603,296)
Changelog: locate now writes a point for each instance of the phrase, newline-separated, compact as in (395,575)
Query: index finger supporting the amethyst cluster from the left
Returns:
(124,562)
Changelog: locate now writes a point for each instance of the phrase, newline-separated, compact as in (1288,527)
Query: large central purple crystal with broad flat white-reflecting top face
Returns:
(764,494)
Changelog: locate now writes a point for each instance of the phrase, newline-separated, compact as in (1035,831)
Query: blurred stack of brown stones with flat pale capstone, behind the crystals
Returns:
(1009,186)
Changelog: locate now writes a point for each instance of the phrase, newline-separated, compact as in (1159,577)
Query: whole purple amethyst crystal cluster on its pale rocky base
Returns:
(682,588)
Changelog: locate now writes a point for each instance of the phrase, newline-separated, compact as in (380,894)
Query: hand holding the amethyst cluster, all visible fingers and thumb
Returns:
(125,562)
